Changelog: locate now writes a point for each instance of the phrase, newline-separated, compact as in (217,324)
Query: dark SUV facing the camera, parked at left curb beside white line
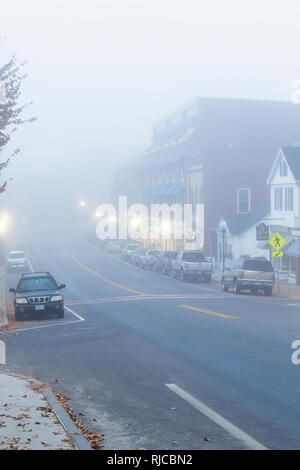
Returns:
(38,293)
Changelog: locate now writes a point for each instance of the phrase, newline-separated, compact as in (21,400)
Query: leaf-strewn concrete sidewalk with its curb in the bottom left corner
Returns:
(32,419)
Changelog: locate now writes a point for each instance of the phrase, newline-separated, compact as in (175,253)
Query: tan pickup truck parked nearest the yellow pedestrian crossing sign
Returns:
(249,274)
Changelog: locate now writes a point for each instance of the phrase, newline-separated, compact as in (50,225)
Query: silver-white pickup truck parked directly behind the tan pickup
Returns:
(191,265)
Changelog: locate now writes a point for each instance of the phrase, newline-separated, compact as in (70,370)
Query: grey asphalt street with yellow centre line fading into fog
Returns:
(128,334)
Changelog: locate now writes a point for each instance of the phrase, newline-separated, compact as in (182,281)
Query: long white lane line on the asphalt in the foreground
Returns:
(218,419)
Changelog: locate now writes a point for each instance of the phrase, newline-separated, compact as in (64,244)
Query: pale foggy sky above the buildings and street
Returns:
(101,71)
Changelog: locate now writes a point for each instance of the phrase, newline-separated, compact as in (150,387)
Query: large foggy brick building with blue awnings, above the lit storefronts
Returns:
(213,151)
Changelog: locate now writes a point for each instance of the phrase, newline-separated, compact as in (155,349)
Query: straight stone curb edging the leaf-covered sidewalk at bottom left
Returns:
(80,441)
